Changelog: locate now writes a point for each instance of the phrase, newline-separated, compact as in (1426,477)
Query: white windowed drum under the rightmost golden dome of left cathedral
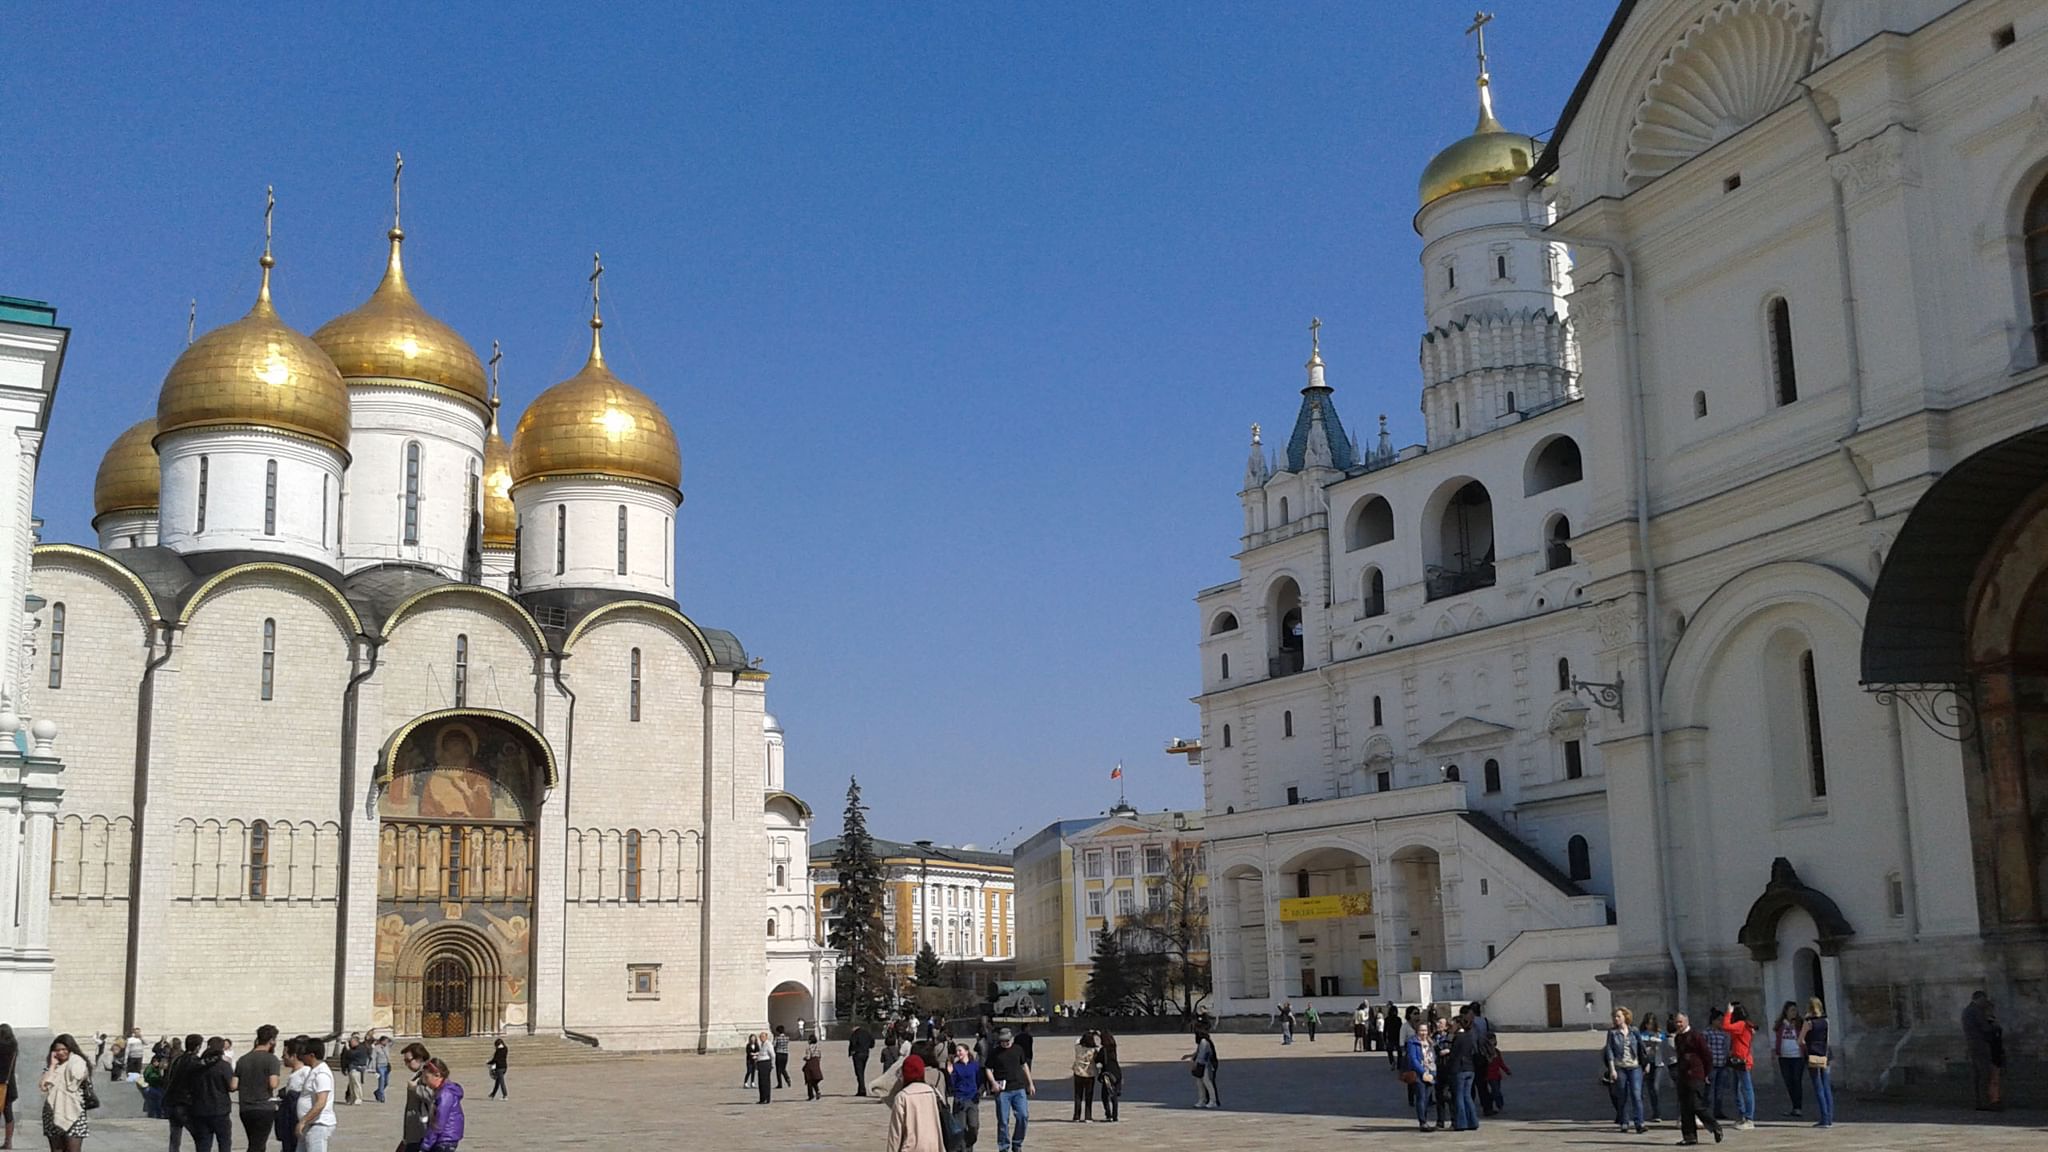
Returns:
(589,511)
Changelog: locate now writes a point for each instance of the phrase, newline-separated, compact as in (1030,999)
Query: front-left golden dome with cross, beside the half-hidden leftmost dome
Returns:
(257,372)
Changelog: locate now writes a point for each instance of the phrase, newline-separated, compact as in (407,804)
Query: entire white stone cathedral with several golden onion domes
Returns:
(384,723)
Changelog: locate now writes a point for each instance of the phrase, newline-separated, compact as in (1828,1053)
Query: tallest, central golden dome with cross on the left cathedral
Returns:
(392,337)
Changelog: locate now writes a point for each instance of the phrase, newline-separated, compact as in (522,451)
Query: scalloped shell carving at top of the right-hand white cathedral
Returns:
(1736,67)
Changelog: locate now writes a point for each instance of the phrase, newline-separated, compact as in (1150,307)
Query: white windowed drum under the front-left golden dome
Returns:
(237,479)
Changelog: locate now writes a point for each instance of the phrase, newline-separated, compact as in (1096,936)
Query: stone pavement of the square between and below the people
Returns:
(1277,1100)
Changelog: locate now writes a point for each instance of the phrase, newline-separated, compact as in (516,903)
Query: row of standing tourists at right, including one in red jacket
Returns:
(1707,1067)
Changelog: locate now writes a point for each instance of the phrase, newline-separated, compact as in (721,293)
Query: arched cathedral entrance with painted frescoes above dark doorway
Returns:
(456,874)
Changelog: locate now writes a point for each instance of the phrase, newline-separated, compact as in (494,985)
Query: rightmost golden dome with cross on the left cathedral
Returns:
(597,423)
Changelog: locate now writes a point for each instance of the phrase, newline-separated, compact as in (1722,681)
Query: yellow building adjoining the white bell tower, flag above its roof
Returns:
(1082,876)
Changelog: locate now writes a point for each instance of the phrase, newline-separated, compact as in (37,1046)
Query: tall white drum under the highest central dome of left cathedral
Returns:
(382,421)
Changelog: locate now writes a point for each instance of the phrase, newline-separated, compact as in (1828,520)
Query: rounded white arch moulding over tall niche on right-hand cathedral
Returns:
(1734,606)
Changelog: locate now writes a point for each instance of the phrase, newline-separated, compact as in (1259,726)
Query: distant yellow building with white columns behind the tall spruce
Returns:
(964,897)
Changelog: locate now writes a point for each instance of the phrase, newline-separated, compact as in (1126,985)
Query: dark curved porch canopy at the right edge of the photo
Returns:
(1920,612)
